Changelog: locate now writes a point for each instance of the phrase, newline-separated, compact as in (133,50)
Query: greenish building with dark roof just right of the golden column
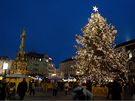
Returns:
(40,64)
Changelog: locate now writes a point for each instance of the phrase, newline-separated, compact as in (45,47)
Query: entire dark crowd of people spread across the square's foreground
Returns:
(80,91)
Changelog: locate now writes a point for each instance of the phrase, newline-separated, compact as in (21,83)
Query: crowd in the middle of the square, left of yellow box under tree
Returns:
(77,90)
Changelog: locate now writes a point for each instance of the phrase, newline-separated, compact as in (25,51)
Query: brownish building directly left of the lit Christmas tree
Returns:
(66,68)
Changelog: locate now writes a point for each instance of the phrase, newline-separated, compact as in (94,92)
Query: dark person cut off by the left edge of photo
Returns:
(3,86)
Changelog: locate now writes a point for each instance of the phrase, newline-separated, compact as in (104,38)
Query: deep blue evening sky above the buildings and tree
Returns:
(51,25)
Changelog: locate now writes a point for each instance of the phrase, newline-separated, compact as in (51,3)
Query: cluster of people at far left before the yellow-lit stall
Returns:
(8,89)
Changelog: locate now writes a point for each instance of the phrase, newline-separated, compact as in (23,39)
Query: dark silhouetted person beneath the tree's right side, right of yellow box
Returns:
(116,90)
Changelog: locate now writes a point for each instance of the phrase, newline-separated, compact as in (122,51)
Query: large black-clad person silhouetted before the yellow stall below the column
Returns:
(22,89)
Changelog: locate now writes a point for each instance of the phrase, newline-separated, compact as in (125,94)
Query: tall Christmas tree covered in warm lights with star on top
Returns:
(96,56)
